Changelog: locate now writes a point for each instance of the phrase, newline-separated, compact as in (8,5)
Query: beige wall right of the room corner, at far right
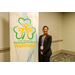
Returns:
(68,31)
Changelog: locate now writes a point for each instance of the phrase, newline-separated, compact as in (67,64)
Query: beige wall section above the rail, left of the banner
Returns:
(4,30)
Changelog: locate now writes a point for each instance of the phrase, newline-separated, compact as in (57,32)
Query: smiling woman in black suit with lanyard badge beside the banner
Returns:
(45,41)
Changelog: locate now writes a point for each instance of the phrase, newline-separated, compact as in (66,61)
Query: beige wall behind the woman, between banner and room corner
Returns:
(54,21)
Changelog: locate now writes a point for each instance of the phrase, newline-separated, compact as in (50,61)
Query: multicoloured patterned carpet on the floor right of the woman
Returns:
(63,57)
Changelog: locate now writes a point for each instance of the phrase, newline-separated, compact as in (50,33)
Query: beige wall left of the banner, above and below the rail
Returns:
(4,37)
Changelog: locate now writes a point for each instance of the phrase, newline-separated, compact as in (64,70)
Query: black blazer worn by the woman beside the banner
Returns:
(47,45)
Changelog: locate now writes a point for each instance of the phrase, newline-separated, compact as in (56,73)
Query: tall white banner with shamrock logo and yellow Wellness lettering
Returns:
(24,36)
